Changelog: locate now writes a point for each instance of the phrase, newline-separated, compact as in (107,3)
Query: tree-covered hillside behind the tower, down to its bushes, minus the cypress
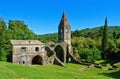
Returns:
(87,43)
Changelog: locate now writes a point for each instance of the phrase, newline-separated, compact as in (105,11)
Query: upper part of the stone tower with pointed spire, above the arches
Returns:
(64,31)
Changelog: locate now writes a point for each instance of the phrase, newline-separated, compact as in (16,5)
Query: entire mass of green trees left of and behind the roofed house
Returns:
(17,30)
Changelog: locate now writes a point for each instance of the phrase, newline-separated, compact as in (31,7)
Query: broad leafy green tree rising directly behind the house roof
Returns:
(19,30)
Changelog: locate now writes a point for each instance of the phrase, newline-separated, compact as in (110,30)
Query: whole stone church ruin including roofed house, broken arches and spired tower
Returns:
(32,52)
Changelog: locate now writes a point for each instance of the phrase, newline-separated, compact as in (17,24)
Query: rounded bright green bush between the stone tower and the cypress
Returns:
(90,55)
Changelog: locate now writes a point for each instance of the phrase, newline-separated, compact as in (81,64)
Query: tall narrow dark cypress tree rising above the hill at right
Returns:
(105,39)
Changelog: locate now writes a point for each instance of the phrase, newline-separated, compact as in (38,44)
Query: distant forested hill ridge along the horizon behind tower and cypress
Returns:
(54,36)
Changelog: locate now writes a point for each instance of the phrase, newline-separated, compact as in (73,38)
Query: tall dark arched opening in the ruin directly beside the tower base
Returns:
(59,52)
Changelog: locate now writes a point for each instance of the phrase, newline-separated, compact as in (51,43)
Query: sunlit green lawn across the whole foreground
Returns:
(72,71)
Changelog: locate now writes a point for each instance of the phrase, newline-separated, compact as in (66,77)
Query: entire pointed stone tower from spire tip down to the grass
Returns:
(64,38)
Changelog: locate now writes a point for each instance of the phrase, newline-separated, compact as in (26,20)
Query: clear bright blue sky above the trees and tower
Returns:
(43,16)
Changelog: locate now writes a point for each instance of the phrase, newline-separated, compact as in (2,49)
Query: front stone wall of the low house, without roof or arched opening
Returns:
(23,54)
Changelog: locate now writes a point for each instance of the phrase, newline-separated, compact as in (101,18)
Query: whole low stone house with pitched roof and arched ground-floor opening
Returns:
(28,52)
